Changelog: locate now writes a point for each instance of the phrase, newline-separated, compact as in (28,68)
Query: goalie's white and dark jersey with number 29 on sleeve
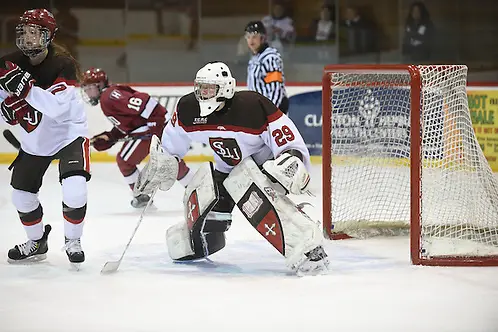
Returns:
(248,125)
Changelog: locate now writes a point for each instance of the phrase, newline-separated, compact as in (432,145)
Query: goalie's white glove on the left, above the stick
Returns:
(160,172)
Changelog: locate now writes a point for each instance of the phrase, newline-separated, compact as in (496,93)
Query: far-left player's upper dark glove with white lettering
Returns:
(14,80)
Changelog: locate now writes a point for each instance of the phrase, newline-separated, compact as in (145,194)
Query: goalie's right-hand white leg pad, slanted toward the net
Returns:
(273,214)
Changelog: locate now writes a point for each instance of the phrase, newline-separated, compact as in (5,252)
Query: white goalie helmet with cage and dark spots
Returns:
(212,86)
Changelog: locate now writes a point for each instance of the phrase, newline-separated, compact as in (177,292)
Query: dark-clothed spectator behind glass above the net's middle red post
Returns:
(419,33)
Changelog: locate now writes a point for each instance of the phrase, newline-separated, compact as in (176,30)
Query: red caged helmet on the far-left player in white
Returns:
(35,31)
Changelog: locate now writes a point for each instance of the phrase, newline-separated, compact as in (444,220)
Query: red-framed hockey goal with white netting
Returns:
(400,157)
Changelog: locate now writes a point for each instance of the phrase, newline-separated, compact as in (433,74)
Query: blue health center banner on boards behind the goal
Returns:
(360,115)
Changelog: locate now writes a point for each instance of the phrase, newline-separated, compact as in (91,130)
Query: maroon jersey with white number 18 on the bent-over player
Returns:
(131,111)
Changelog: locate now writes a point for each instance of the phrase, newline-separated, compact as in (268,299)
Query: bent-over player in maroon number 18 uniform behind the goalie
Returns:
(136,116)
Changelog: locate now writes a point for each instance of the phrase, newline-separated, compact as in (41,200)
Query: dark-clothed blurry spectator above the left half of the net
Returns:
(361,34)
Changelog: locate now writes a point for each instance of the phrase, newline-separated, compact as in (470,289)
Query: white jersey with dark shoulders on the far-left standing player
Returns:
(58,115)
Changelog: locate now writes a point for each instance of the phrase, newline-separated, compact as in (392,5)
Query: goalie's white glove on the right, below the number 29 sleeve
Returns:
(289,171)
